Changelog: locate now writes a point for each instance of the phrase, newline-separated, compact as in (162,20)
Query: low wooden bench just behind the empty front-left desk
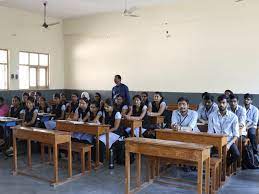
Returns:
(77,147)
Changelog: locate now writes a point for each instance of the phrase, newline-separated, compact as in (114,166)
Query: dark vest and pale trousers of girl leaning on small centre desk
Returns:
(136,113)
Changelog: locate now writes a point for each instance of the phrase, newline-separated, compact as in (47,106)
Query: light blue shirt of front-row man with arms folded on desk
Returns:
(189,120)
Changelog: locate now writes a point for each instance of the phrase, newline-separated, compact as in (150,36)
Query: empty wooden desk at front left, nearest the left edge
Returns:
(44,136)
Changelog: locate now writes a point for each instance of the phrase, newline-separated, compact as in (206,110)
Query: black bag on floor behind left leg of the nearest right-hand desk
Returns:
(119,152)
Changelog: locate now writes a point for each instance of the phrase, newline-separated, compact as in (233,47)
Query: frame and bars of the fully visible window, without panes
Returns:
(37,67)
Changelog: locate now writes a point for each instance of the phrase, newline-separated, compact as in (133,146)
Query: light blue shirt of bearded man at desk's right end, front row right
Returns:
(227,124)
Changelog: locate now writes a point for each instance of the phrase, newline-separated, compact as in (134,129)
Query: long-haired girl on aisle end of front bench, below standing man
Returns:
(111,117)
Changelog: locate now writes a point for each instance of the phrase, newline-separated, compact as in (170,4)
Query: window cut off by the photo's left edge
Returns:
(3,69)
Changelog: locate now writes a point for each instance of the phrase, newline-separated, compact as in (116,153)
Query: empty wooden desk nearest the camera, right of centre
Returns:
(167,149)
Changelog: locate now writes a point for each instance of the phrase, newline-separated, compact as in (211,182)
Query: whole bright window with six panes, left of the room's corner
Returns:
(33,70)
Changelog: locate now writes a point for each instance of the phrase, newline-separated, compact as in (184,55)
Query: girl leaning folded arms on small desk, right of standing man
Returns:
(138,112)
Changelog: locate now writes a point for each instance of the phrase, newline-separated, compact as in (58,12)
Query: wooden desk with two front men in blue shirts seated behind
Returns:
(217,140)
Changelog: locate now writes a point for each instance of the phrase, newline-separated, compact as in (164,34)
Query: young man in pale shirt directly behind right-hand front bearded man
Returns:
(239,111)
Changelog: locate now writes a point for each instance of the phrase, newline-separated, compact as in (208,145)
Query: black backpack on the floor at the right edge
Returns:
(249,159)
